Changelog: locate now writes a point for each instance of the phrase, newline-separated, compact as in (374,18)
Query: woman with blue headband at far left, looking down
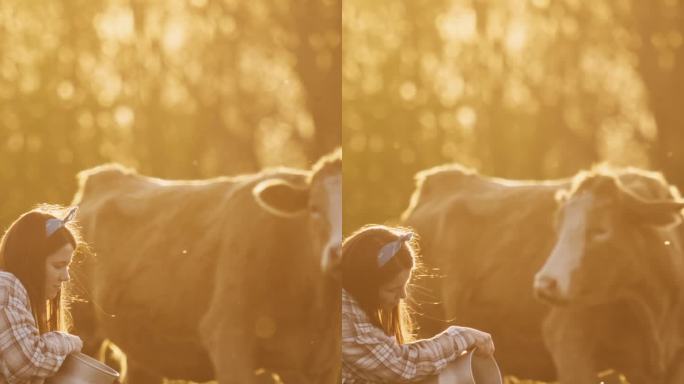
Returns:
(35,254)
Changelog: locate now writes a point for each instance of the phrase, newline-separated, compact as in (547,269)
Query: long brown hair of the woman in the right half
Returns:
(362,278)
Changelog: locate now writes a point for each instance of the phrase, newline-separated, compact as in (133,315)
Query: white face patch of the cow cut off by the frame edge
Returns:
(331,251)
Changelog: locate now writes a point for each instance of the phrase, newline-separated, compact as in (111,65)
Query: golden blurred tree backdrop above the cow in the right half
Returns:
(518,89)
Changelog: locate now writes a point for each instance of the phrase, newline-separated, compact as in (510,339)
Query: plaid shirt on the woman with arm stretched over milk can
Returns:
(371,356)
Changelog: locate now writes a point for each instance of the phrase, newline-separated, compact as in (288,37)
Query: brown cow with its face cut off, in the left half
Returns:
(213,279)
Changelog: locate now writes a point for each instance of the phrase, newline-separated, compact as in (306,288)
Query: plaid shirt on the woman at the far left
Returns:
(27,357)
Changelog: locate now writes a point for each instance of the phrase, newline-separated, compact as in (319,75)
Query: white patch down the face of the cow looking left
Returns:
(553,281)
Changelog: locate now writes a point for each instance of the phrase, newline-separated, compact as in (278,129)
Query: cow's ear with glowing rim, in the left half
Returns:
(282,198)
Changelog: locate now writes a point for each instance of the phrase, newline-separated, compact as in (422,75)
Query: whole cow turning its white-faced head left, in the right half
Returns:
(493,261)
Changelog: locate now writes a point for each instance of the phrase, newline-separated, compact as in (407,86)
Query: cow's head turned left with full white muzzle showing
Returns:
(606,237)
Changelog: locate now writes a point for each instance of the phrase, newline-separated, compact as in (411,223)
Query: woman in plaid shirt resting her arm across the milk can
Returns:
(377,262)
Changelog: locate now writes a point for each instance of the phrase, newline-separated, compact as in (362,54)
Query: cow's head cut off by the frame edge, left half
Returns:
(319,199)
